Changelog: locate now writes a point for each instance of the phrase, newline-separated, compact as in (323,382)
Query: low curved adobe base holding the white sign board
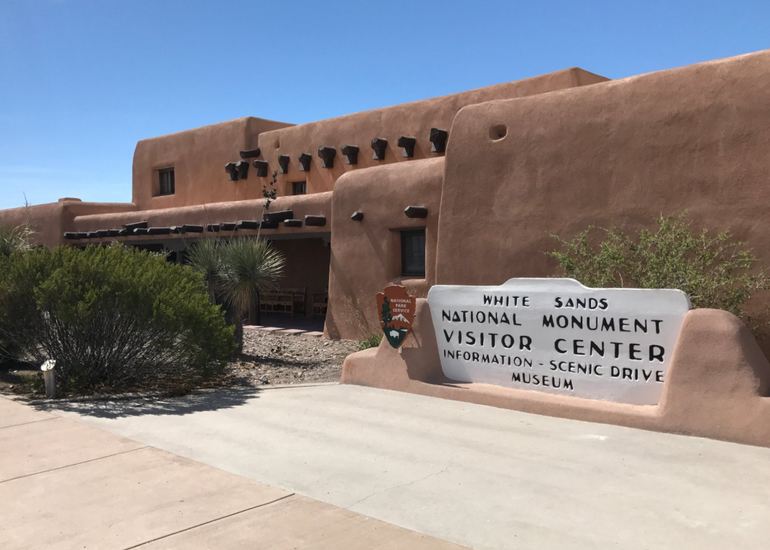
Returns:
(716,386)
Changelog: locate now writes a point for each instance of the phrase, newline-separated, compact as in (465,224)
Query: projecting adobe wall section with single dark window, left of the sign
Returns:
(366,254)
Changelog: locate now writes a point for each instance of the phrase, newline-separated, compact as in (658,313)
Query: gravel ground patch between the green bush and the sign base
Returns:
(270,358)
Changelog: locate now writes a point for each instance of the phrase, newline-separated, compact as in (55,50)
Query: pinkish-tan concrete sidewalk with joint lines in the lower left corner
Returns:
(64,484)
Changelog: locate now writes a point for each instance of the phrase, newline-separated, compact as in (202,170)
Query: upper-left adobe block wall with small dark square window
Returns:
(198,157)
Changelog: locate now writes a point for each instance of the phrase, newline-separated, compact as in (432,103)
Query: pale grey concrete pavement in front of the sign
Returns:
(475,475)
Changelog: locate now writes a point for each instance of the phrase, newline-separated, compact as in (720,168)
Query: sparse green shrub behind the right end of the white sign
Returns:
(713,268)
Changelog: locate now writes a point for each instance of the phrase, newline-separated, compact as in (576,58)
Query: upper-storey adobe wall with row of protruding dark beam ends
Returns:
(409,119)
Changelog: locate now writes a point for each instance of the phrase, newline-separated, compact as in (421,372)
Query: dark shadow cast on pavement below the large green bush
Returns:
(116,407)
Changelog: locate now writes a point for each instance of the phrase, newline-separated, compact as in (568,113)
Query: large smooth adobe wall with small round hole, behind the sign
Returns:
(621,152)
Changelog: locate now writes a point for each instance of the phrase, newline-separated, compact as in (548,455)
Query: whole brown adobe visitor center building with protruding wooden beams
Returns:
(462,189)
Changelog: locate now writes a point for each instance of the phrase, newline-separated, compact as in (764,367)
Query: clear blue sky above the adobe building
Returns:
(81,81)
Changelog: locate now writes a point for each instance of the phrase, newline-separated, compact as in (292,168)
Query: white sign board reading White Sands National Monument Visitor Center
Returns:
(558,336)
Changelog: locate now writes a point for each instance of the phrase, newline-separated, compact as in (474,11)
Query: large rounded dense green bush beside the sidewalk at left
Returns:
(113,318)
